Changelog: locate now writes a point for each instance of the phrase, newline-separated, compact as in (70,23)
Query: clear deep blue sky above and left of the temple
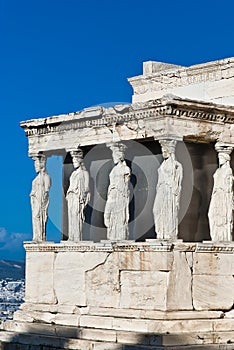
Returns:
(59,56)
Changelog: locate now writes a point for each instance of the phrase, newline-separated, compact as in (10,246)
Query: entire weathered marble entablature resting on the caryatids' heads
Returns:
(188,119)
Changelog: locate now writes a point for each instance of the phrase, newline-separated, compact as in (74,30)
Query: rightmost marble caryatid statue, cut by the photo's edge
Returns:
(221,205)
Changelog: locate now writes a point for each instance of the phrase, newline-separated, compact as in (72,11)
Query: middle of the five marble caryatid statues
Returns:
(116,215)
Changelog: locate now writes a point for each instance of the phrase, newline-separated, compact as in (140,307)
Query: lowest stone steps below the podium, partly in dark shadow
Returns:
(105,339)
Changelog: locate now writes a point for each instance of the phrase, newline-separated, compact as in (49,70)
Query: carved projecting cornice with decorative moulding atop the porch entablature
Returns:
(97,117)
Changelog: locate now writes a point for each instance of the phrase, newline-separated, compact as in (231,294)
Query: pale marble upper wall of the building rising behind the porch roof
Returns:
(211,81)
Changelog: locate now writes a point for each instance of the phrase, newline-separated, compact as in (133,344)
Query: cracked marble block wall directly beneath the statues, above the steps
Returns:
(145,276)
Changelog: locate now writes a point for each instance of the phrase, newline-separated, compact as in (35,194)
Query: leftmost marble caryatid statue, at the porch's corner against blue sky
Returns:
(40,198)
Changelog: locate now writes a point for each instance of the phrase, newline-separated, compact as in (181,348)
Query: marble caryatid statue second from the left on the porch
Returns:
(77,196)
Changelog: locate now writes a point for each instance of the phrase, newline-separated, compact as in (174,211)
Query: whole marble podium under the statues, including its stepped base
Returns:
(150,293)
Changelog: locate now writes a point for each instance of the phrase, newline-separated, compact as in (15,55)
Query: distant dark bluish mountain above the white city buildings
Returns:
(12,269)
